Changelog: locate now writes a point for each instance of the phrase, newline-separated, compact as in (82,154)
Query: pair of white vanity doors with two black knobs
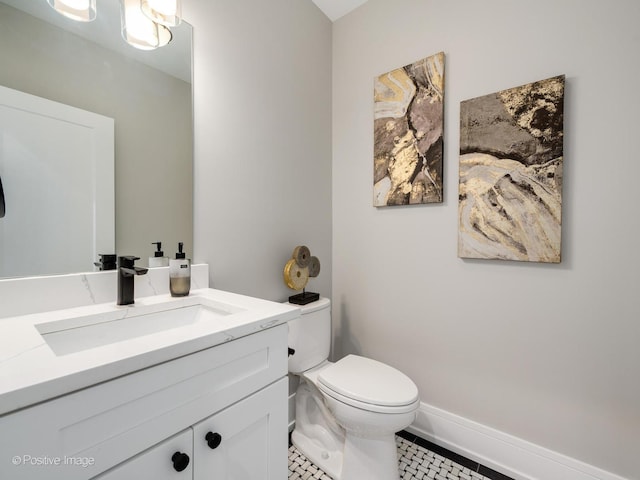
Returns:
(244,441)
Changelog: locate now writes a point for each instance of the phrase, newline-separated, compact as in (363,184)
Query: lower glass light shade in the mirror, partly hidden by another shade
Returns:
(138,30)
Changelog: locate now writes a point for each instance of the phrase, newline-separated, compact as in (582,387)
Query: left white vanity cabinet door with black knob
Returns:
(171,459)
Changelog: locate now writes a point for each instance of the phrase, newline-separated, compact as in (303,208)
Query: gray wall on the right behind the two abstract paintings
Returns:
(548,353)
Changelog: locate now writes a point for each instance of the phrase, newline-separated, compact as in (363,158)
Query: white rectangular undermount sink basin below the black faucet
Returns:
(83,333)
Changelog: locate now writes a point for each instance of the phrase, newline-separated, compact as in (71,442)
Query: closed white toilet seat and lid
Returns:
(369,385)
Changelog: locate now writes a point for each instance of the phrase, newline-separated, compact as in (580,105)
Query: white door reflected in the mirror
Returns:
(59,218)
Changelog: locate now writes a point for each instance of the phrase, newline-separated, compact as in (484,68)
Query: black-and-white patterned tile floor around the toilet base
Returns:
(417,462)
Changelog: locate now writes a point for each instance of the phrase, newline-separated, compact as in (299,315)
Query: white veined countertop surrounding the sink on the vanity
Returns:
(31,372)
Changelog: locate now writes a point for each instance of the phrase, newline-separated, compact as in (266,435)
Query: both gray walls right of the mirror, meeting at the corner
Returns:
(545,352)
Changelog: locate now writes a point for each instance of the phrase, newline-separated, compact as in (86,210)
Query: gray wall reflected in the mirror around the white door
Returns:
(152,113)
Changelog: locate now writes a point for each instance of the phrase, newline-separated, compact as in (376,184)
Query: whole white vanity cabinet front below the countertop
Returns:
(131,427)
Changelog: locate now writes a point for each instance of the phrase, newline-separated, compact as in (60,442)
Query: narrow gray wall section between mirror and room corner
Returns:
(262,172)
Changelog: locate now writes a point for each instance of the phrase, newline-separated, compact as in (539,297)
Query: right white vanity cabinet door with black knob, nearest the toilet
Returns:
(246,441)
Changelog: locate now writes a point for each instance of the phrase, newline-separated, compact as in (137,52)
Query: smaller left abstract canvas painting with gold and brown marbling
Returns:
(408,126)
